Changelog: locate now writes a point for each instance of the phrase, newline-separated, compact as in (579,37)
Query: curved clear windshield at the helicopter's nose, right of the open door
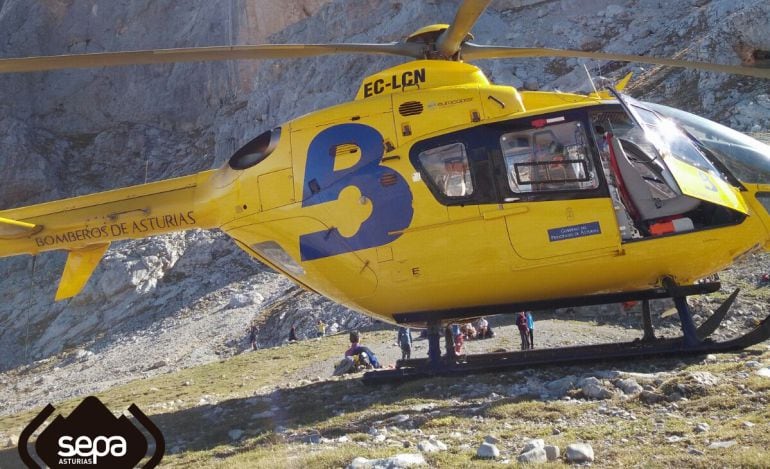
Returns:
(748,159)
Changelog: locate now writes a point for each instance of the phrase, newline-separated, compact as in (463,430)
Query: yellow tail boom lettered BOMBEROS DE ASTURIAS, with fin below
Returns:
(85,226)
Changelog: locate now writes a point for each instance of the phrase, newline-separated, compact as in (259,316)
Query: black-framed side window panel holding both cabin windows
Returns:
(536,158)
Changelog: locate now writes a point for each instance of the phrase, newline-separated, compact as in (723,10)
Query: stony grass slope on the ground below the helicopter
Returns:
(197,407)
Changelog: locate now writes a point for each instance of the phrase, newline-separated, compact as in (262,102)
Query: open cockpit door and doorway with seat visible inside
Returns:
(660,180)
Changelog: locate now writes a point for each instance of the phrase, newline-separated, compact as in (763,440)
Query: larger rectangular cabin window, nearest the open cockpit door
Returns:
(548,158)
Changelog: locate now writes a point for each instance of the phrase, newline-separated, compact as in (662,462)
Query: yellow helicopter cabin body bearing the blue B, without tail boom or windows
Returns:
(344,206)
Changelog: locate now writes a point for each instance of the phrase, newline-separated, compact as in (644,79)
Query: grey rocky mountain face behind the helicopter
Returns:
(74,132)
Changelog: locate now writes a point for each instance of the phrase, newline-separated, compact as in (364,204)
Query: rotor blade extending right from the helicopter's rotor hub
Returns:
(476,52)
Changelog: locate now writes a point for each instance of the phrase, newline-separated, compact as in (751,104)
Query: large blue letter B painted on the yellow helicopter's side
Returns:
(391,203)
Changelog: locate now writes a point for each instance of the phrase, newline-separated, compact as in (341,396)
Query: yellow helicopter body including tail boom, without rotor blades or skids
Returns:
(429,192)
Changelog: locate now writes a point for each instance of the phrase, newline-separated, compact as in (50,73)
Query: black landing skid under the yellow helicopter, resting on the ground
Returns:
(693,342)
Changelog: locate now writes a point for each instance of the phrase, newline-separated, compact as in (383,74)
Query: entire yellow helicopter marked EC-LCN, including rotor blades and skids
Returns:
(436,196)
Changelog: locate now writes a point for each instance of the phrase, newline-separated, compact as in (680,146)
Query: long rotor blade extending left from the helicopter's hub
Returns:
(200,54)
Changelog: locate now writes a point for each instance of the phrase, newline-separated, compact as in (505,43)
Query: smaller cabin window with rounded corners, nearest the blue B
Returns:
(448,169)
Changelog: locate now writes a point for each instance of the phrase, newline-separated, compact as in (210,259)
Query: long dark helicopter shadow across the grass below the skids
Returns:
(332,409)
